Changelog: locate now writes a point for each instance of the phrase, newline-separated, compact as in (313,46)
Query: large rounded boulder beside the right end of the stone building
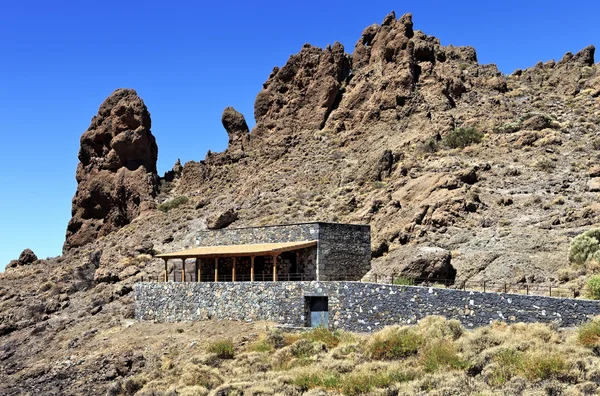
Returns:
(416,262)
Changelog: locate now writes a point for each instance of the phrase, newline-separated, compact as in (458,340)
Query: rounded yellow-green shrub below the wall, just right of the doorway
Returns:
(394,343)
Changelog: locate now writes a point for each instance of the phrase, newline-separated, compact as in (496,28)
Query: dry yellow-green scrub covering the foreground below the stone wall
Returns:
(435,354)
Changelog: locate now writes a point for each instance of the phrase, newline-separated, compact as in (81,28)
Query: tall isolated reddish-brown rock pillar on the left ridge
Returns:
(117,169)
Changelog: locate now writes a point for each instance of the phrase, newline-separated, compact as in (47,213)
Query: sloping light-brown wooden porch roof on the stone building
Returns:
(259,249)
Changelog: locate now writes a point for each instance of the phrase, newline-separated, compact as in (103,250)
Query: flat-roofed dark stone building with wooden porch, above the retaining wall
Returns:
(293,252)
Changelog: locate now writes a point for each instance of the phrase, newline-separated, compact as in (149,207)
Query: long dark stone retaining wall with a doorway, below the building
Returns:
(353,306)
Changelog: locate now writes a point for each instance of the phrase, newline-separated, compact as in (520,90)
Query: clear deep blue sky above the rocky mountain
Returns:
(188,61)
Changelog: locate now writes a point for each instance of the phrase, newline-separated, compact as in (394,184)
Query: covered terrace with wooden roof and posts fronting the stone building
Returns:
(248,262)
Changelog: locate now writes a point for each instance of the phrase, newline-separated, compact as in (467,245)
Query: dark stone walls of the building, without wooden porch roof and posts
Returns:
(343,251)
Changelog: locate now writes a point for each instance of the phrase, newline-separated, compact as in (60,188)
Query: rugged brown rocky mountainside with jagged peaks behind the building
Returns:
(444,158)
